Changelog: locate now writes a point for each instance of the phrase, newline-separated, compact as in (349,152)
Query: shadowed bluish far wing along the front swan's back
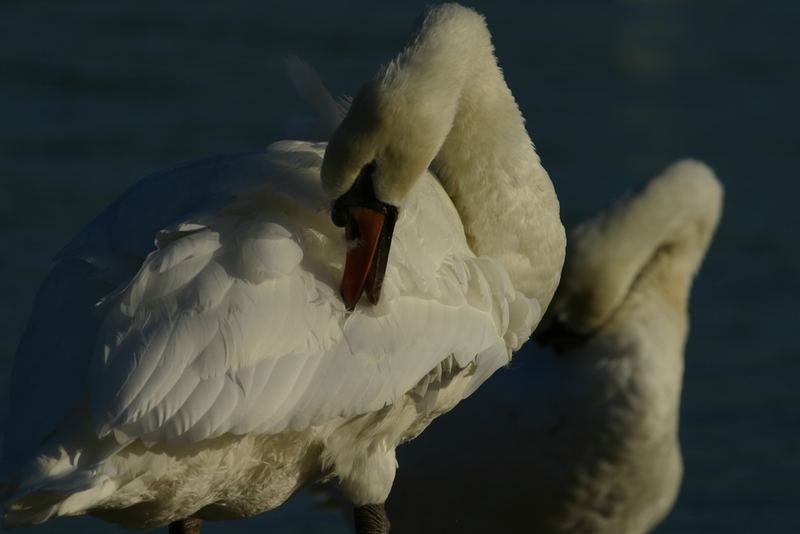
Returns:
(50,370)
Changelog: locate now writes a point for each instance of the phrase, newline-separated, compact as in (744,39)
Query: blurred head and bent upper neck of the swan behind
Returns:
(657,236)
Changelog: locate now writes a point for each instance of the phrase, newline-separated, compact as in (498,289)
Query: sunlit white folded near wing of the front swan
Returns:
(234,324)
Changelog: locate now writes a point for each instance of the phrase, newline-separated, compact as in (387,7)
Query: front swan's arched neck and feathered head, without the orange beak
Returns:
(443,102)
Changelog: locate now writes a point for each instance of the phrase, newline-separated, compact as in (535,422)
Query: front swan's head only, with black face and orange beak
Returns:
(370,166)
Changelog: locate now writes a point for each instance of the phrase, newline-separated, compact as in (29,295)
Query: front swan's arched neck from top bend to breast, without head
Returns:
(482,154)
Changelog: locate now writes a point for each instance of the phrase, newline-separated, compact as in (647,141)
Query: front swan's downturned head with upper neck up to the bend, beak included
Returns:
(395,127)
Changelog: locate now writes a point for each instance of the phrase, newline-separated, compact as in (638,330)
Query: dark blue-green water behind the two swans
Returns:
(96,94)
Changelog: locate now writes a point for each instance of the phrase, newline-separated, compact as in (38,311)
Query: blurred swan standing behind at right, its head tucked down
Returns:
(583,438)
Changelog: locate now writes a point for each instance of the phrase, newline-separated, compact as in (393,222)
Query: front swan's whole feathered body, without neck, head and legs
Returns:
(198,316)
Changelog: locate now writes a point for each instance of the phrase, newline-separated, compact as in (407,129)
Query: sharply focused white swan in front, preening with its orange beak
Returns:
(212,342)
